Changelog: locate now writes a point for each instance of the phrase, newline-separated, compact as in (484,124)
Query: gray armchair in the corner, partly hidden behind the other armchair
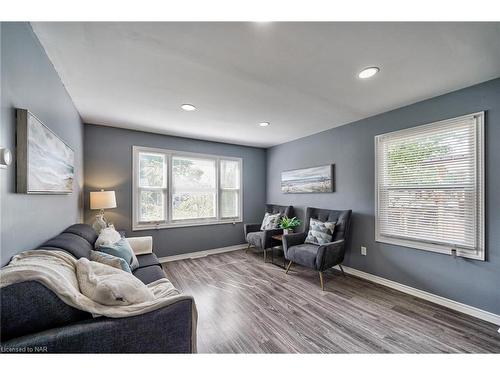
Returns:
(263,239)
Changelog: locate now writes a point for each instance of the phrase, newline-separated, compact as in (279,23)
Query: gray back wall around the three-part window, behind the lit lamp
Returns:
(108,165)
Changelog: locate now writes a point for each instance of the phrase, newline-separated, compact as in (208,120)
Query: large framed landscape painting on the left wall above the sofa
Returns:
(45,164)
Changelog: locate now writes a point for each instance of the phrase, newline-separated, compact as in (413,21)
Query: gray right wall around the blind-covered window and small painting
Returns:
(351,148)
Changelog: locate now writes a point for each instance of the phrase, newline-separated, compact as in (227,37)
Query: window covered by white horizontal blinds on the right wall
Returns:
(430,187)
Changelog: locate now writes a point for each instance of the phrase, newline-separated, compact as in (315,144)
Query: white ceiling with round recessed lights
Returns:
(301,77)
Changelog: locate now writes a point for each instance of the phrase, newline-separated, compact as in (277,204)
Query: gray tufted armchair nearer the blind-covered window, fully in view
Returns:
(319,257)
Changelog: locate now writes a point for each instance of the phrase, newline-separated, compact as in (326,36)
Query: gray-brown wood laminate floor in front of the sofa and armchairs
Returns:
(246,306)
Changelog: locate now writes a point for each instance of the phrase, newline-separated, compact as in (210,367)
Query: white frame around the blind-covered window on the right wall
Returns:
(479,253)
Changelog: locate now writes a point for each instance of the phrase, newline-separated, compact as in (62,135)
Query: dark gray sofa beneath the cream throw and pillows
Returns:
(34,319)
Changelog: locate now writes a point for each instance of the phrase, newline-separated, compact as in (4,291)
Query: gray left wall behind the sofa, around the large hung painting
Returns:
(28,80)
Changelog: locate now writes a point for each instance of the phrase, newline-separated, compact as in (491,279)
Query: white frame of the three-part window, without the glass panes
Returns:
(169,222)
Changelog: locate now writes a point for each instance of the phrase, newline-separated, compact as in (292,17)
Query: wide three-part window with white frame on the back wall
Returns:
(173,189)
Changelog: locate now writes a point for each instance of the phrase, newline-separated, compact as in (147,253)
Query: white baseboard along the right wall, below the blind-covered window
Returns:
(454,305)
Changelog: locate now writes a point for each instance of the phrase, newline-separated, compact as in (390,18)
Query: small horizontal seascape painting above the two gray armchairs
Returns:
(308,180)
